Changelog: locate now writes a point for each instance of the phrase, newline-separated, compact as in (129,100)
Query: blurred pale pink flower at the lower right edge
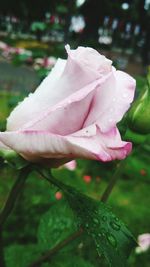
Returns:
(144,243)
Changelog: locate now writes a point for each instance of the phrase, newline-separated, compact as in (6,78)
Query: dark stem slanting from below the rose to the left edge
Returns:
(13,195)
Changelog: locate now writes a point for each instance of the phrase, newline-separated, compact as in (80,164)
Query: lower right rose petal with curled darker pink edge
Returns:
(104,146)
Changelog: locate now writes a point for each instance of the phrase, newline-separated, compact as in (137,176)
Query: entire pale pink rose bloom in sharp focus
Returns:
(73,113)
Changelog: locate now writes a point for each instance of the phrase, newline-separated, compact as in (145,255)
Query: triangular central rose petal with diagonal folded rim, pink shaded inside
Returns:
(69,115)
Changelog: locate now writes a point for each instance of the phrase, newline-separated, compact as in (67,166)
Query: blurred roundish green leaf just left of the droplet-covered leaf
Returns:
(56,225)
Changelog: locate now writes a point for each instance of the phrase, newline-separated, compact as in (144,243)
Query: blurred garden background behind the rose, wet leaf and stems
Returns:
(32,37)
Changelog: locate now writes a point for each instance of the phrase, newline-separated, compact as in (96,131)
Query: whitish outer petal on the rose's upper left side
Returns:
(43,97)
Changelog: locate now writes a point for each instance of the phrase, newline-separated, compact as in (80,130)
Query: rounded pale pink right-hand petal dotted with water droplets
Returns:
(111,101)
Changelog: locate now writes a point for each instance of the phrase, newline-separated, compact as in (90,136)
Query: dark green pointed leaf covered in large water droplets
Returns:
(111,237)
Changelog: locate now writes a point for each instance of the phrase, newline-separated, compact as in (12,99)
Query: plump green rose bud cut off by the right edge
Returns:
(139,114)
